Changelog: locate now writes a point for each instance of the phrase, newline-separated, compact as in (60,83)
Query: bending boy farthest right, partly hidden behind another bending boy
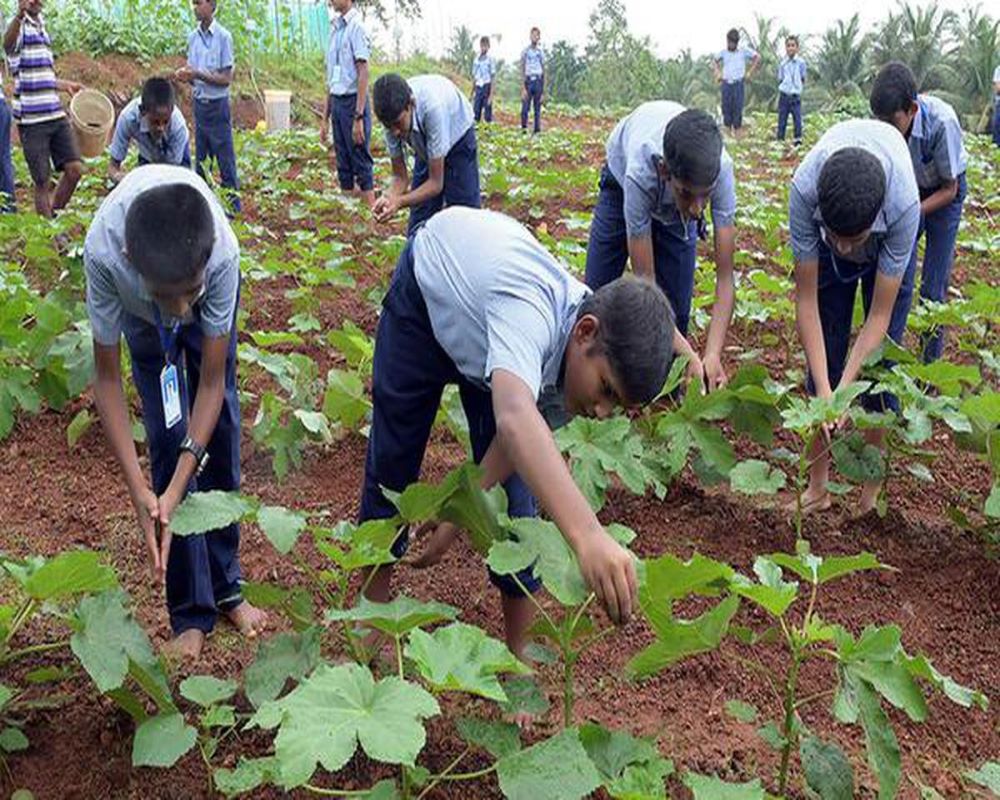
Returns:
(934,136)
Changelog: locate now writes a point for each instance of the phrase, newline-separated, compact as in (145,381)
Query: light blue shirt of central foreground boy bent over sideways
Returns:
(496,298)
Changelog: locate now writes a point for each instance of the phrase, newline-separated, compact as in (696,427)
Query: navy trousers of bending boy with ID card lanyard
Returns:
(203,572)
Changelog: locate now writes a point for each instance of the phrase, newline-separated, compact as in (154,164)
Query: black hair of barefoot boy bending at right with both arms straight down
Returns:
(851,190)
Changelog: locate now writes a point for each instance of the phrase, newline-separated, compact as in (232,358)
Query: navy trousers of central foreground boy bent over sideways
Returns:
(409,373)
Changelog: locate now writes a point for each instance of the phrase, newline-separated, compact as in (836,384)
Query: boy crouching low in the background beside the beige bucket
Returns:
(156,125)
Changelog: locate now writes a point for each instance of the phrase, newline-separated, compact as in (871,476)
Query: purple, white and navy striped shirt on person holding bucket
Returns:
(32,65)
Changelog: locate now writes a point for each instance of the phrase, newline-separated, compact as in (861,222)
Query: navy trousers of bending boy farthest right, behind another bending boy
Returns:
(941,231)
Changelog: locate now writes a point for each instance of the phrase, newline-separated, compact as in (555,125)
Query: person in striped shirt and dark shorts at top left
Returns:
(46,137)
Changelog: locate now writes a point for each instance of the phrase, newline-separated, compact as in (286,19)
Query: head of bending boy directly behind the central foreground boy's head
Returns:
(692,157)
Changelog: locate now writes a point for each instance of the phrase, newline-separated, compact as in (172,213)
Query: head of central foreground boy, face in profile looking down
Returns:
(620,349)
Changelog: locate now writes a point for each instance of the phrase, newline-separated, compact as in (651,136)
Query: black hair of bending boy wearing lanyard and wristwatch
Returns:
(169,233)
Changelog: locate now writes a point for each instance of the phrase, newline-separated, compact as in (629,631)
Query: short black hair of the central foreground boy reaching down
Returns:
(636,334)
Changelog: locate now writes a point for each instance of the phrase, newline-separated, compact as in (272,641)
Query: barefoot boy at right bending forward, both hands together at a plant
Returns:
(853,217)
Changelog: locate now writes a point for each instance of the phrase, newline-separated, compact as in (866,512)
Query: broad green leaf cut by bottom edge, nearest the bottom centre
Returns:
(556,769)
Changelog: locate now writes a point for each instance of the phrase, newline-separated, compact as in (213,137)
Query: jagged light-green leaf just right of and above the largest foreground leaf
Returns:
(463,658)
